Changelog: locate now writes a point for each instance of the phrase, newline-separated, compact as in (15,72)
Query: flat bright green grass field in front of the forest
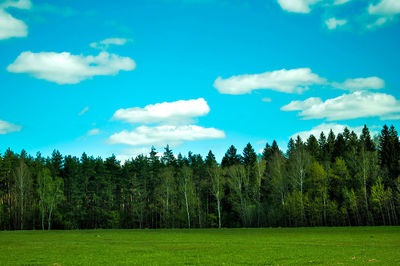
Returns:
(360,245)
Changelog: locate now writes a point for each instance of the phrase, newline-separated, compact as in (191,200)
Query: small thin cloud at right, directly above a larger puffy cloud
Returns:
(370,83)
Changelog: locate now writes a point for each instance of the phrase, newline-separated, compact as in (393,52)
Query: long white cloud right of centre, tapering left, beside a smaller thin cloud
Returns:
(288,81)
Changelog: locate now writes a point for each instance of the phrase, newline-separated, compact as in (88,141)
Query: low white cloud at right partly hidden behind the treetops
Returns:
(324,127)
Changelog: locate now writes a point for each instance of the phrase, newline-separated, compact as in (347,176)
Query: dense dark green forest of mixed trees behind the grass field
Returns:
(333,180)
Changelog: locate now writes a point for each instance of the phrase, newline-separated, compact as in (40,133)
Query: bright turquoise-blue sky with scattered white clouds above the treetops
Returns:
(117,78)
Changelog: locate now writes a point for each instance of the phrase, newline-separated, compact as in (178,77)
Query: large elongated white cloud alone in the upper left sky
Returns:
(65,68)
